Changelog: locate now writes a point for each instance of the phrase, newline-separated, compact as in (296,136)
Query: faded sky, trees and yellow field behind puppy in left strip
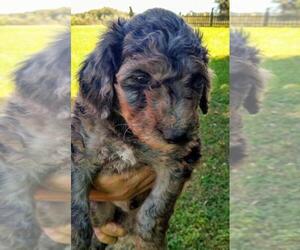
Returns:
(25,28)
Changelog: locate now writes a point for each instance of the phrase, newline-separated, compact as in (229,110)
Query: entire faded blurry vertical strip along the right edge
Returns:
(265,127)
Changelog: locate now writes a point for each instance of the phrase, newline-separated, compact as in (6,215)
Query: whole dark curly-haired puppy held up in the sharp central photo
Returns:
(140,93)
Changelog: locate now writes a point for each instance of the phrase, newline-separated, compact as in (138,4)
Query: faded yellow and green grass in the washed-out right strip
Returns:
(265,190)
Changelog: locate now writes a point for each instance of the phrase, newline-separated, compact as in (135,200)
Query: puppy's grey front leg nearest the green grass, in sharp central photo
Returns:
(154,215)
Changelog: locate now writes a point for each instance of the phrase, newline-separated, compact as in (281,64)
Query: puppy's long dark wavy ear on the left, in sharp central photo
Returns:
(97,75)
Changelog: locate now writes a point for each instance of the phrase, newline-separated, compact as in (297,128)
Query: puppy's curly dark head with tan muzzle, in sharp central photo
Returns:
(153,70)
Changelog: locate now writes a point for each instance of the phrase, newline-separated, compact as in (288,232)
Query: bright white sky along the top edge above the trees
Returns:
(183,6)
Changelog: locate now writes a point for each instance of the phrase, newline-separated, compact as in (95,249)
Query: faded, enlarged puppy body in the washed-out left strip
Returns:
(34,143)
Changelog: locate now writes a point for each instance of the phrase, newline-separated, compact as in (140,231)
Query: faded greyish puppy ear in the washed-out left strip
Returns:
(45,77)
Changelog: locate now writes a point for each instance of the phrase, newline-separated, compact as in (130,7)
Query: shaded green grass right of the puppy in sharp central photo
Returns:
(201,219)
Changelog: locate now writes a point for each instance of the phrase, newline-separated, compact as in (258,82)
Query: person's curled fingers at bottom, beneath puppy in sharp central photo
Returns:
(109,233)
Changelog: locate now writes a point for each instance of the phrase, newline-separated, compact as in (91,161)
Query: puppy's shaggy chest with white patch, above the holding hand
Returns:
(109,153)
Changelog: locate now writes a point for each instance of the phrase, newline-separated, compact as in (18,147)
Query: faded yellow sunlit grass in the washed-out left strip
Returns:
(18,43)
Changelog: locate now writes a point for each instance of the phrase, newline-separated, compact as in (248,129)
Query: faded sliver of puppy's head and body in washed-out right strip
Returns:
(247,80)
